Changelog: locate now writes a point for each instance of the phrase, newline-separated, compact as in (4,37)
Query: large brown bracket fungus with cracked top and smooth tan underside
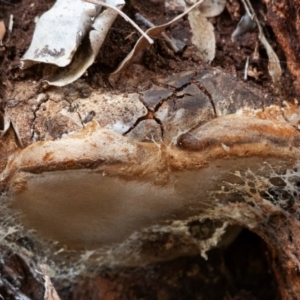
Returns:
(227,153)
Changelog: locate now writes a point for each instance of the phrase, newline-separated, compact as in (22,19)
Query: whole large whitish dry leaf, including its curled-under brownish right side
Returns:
(75,39)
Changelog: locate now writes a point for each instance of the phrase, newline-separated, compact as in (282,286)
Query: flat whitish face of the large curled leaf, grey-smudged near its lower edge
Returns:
(66,24)
